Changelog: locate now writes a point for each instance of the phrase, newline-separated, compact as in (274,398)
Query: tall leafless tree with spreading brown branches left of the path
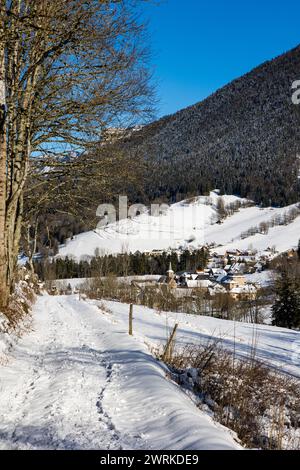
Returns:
(68,69)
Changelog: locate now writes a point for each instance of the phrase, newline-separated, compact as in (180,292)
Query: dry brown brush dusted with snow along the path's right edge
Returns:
(260,404)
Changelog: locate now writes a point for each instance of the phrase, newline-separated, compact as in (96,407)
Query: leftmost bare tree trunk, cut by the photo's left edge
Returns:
(4,290)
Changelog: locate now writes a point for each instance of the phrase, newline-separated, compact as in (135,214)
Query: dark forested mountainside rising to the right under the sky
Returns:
(243,139)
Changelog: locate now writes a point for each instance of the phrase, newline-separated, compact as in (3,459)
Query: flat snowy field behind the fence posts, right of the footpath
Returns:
(277,347)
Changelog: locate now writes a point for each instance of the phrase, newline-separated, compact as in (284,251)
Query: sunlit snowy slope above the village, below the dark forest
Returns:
(187,224)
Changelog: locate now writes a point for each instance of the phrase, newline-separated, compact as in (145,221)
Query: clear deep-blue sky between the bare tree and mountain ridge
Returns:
(200,45)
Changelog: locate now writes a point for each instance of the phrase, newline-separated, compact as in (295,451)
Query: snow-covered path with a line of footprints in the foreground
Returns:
(77,381)
